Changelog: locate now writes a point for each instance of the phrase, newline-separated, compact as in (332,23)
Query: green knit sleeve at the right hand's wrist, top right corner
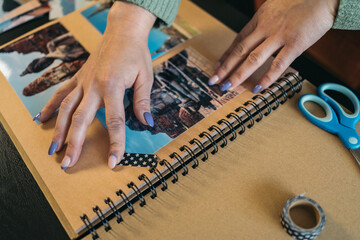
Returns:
(348,15)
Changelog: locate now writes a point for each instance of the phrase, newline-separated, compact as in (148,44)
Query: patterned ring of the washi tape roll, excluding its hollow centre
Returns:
(296,231)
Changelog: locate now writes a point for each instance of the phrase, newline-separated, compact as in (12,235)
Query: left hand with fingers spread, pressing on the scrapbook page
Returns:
(122,60)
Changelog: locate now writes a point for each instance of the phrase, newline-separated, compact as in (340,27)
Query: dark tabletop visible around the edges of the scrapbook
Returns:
(24,210)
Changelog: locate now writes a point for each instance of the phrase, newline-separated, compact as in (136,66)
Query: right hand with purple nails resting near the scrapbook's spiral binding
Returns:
(288,27)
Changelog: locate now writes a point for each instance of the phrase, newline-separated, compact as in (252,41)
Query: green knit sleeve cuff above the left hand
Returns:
(164,10)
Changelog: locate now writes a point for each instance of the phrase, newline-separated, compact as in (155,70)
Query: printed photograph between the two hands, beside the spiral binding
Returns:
(180,98)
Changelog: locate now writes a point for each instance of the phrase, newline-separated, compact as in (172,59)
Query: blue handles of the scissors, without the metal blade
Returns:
(331,123)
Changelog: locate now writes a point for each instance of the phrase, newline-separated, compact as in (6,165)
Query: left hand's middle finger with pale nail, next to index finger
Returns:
(81,119)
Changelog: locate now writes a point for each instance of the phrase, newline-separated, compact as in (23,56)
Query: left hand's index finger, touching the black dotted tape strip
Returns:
(115,121)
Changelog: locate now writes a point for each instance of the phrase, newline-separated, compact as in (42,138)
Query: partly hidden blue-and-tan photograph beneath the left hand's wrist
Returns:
(160,41)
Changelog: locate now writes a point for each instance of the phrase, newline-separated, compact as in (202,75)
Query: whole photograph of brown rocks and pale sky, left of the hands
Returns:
(37,65)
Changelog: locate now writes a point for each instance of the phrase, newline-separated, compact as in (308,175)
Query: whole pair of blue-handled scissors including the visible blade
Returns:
(336,121)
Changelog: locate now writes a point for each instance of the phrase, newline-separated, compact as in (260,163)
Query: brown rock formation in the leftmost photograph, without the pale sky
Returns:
(55,43)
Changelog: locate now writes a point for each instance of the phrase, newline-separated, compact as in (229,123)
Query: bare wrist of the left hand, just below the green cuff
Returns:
(129,19)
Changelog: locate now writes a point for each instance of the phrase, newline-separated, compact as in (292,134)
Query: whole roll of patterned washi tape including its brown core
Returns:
(303,218)
